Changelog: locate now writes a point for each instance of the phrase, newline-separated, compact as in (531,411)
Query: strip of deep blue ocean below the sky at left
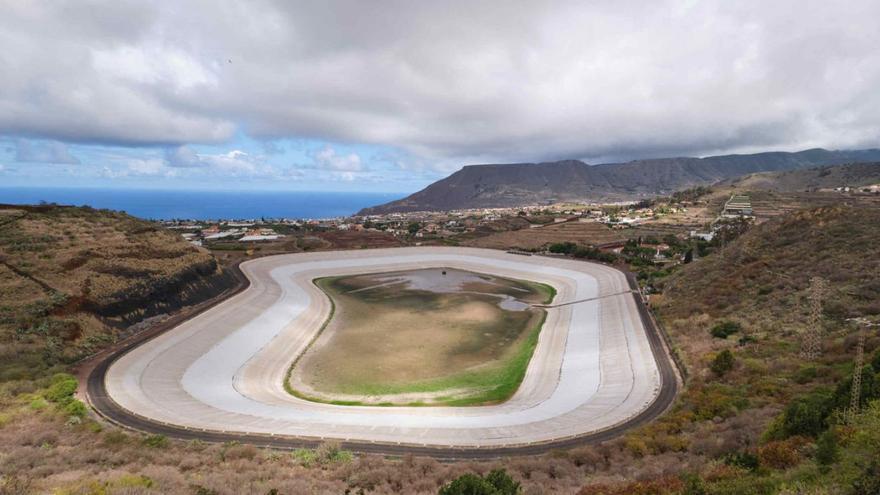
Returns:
(203,205)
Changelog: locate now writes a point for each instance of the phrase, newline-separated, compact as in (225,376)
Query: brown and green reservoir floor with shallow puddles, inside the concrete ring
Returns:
(422,337)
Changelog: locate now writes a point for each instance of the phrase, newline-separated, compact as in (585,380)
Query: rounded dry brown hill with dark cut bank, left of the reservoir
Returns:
(71,278)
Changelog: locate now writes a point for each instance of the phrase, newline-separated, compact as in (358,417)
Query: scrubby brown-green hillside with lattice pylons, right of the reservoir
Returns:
(764,399)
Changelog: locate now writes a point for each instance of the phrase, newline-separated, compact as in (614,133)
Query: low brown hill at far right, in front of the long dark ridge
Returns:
(853,174)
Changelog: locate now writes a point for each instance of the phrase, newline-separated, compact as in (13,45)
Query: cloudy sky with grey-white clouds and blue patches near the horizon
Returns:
(391,95)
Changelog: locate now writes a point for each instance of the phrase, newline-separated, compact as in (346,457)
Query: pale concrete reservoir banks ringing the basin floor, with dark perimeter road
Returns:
(598,368)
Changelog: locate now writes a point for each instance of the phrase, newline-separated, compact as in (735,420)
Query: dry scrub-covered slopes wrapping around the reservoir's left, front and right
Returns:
(723,436)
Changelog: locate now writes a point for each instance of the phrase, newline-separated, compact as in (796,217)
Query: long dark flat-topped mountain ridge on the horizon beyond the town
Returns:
(488,186)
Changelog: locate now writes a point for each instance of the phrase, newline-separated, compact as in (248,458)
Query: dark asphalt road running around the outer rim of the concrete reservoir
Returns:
(105,405)
